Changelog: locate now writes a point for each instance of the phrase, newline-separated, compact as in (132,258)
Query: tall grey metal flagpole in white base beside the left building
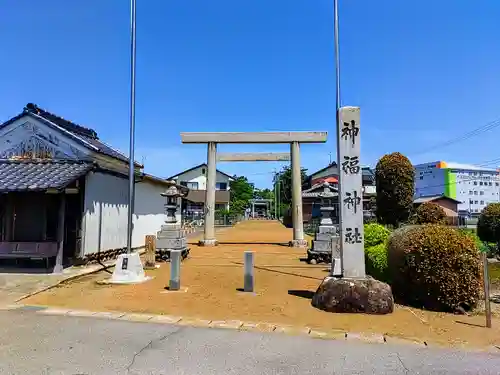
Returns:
(131,174)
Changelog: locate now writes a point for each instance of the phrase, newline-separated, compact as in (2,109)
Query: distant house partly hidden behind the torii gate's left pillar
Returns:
(196,180)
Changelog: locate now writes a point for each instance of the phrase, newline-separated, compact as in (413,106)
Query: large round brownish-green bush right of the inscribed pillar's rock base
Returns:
(435,267)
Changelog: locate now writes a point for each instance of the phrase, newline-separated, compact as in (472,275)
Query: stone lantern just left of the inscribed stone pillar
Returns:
(325,243)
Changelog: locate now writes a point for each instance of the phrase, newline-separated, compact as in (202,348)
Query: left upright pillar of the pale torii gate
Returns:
(209,235)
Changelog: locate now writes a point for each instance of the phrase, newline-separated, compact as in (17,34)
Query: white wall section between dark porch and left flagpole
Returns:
(105,213)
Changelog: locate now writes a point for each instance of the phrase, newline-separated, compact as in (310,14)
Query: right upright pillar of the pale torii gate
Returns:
(297,218)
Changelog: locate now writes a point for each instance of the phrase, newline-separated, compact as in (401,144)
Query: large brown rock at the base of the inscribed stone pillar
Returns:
(367,296)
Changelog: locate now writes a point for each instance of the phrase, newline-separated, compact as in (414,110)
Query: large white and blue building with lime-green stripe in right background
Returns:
(474,187)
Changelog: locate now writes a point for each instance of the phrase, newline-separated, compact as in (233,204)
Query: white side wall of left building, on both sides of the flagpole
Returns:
(106,209)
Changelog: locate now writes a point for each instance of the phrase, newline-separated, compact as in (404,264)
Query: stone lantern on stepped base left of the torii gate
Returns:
(172,236)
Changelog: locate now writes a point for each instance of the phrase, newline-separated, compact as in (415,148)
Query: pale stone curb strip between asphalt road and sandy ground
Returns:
(236,325)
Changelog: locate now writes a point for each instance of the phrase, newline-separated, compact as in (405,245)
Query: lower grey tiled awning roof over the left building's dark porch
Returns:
(32,175)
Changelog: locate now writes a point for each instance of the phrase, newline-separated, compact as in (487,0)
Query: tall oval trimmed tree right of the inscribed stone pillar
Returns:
(394,177)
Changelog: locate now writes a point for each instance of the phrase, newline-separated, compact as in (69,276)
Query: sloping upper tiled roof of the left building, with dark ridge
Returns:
(87,134)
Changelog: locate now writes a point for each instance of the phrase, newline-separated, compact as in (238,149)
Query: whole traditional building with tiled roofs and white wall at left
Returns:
(61,186)
